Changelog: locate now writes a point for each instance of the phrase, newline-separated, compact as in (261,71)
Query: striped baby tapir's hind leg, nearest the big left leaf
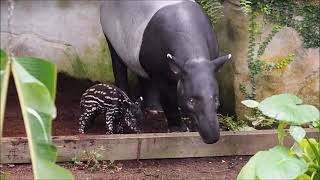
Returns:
(87,115)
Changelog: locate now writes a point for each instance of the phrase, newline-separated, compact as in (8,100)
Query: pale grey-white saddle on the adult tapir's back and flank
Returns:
(124,22)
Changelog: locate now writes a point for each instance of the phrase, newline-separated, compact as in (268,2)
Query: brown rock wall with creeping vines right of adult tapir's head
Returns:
(299,77)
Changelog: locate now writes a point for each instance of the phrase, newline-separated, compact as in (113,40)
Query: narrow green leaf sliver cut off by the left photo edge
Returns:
(4,81)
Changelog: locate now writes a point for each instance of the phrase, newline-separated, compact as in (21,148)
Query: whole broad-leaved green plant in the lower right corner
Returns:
(302,161)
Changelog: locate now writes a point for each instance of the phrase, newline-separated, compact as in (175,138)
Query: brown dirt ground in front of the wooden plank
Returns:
(217,168)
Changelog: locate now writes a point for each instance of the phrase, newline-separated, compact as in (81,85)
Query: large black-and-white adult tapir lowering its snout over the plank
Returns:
(171,44)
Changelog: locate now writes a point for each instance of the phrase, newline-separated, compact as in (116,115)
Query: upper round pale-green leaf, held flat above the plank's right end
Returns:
(288,108)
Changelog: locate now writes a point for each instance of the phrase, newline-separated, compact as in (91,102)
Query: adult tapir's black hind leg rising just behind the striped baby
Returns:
(119,69)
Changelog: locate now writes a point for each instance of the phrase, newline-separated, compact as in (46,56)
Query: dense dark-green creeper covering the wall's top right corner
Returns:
(301,16)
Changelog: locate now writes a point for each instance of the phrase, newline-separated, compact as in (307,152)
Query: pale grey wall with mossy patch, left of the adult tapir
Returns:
(67,32)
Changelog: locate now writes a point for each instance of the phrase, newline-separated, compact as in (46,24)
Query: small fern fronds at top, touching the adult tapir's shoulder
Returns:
(213,8)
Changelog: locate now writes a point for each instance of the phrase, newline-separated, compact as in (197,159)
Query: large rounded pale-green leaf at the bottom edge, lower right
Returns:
(275,163)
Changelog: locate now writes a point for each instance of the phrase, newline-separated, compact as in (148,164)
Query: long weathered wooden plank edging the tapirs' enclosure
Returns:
(148,146)
